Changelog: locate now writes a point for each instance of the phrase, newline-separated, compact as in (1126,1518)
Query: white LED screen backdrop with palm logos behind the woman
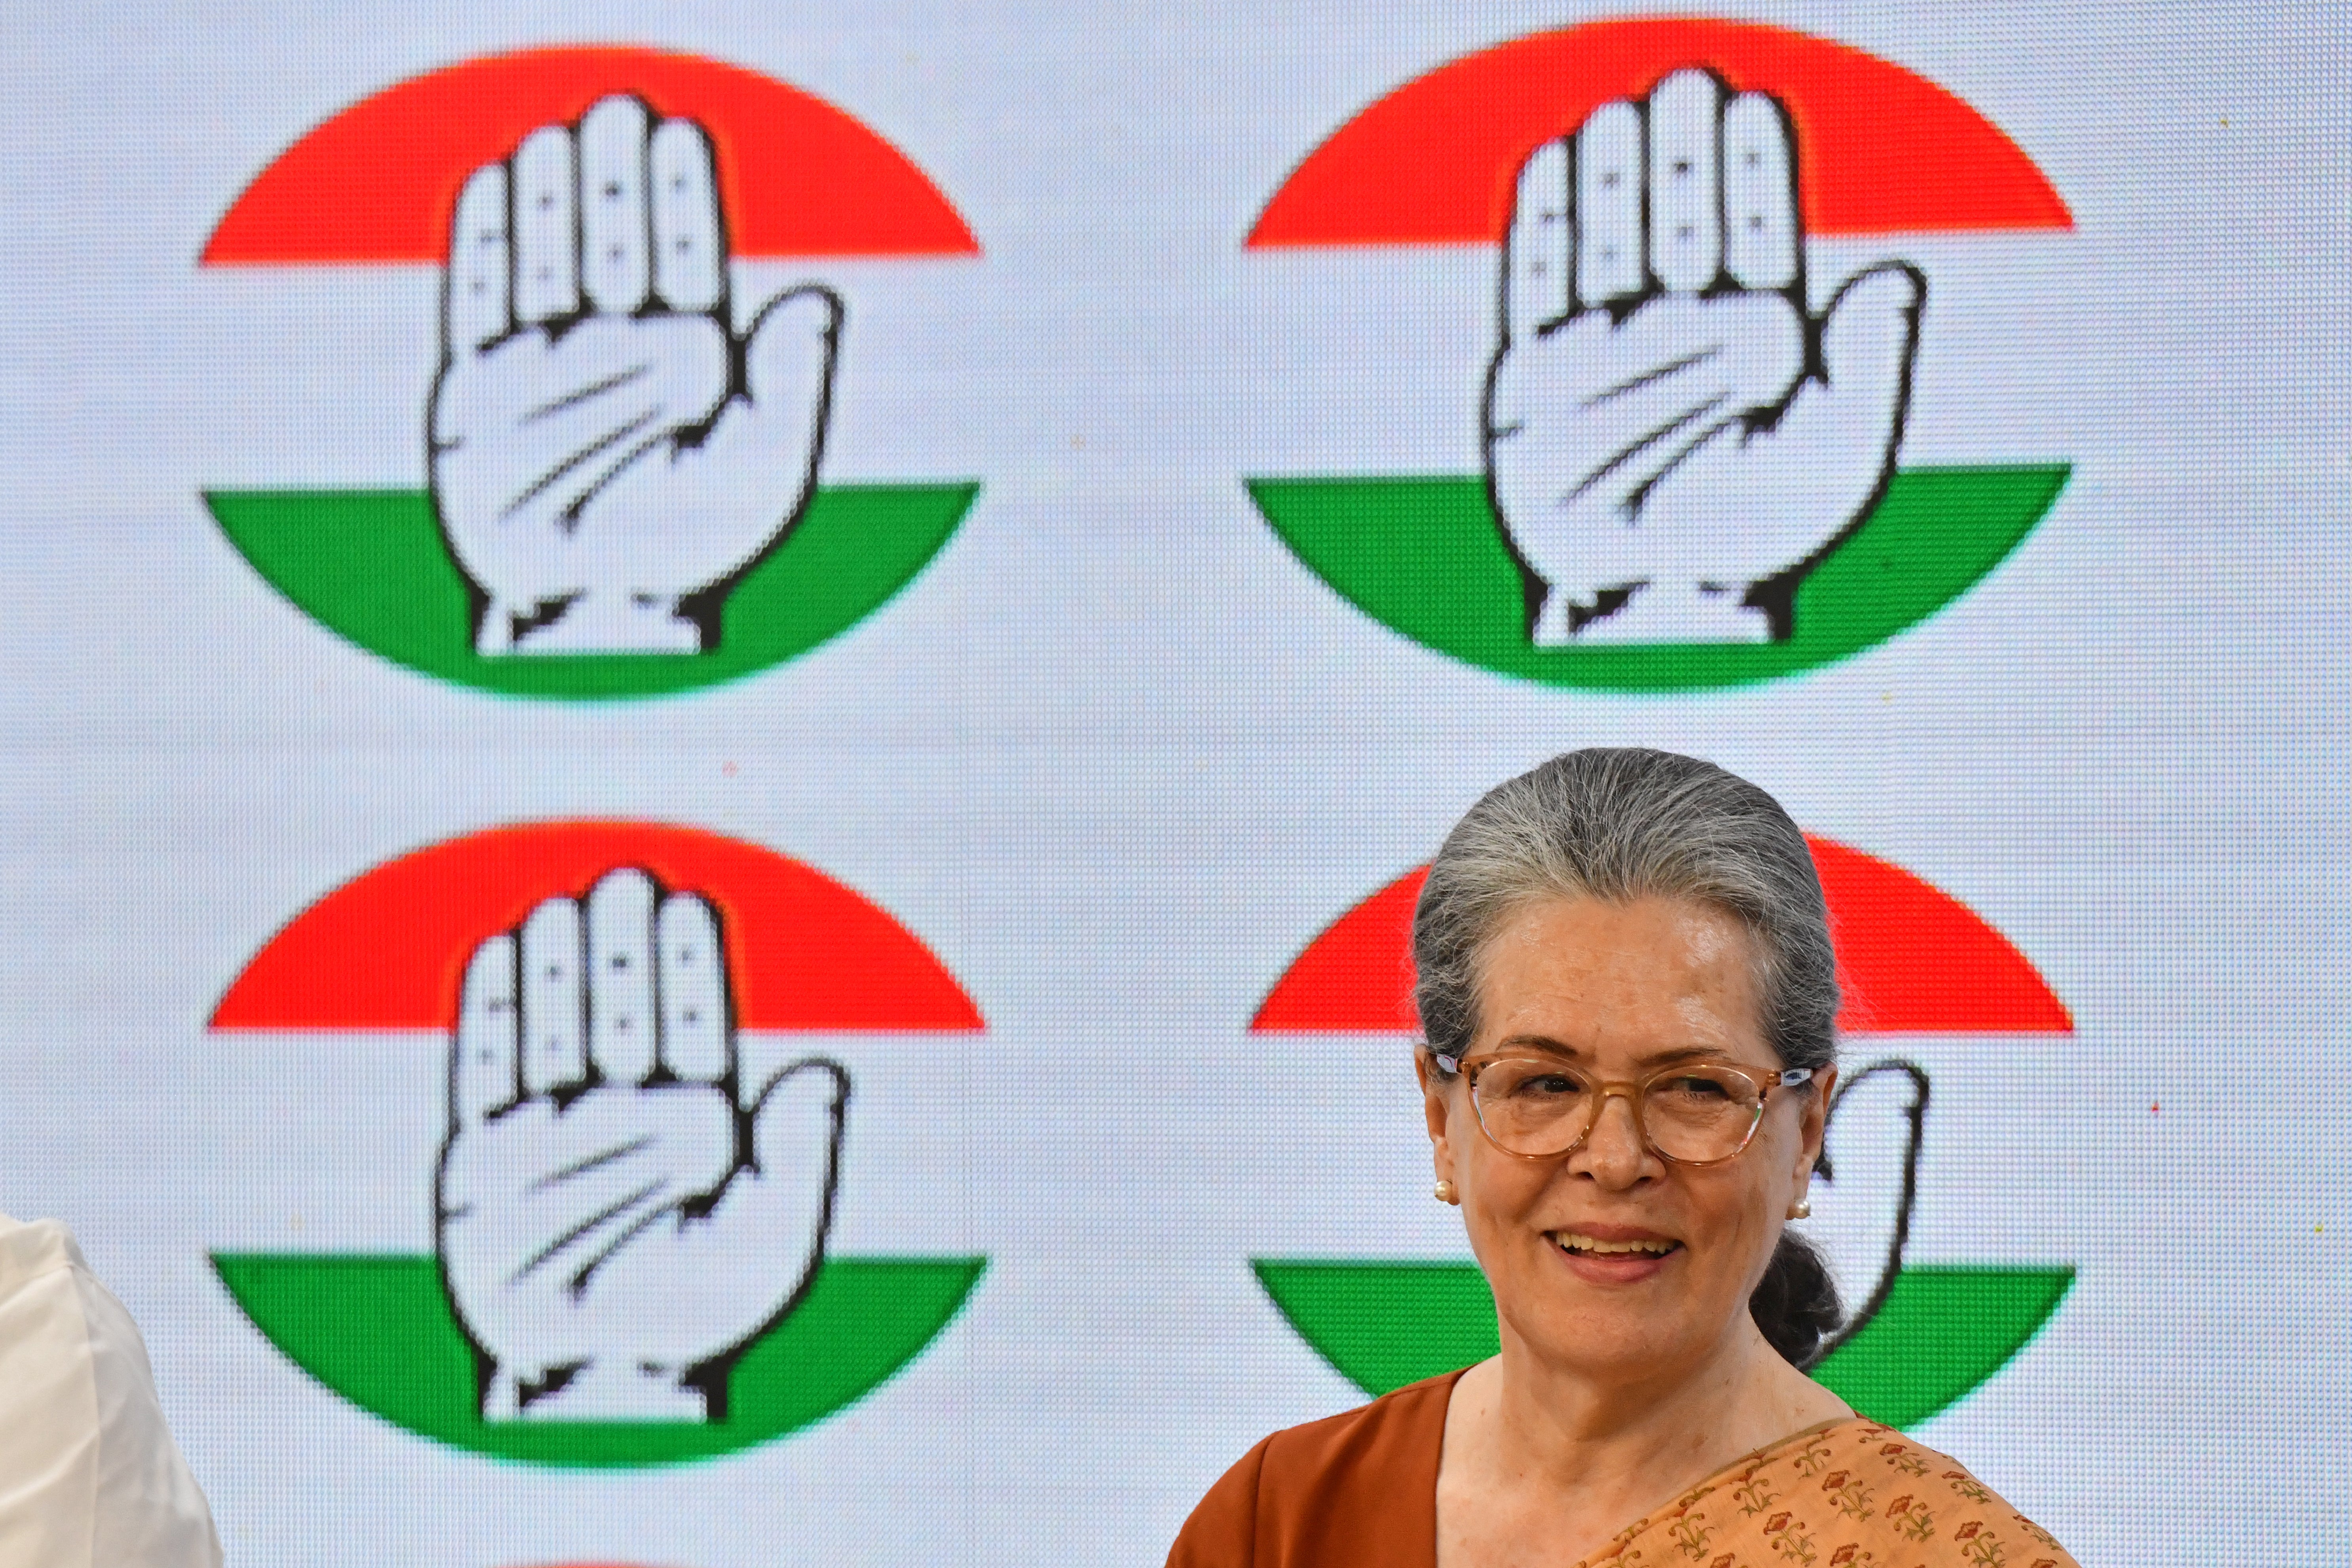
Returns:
(857,622)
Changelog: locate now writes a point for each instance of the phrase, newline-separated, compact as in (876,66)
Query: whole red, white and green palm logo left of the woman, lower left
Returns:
(636,1195)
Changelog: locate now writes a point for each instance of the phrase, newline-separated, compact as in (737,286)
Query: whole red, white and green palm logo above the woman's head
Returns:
(1690,443)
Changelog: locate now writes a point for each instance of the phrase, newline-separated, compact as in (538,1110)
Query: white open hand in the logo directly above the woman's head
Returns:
(1671,436)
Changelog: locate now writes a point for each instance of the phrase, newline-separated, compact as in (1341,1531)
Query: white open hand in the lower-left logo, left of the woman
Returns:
(617,1214)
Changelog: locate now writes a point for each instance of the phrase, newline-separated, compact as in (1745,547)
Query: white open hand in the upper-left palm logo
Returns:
(608,455)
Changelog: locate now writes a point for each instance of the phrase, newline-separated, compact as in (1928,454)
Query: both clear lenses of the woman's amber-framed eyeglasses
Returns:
(1539,1108)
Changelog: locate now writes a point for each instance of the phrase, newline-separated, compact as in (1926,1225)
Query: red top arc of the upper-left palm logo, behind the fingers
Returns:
(377,182)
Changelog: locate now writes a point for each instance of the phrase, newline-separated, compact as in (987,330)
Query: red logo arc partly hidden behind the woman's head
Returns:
(1911,960)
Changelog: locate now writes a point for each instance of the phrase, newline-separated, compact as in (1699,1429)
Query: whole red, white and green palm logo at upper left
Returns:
(622,485)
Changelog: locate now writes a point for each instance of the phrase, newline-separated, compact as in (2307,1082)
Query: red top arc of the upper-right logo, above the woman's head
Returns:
(1436,161)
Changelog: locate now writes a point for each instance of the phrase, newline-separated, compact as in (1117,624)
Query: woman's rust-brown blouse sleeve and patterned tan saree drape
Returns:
(1361,1492)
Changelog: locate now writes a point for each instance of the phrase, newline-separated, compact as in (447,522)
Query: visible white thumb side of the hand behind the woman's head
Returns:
(1866,1186)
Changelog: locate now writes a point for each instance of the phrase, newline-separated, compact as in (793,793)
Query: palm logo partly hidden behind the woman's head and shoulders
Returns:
(1920,1334)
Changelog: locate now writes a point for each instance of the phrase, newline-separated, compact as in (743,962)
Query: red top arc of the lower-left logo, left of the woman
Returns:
(389,949)
